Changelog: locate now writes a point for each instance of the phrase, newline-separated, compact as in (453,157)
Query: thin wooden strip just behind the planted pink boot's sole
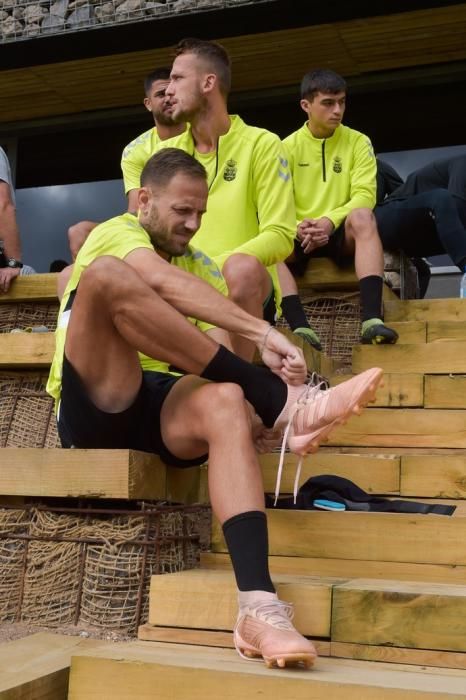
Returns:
(177,635)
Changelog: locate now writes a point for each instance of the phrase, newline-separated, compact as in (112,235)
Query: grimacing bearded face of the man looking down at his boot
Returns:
(172,215)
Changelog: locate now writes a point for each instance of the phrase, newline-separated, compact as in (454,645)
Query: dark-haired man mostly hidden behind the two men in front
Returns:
(137,152)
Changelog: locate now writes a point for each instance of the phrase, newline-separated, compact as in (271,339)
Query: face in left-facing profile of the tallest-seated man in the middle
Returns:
(184,91)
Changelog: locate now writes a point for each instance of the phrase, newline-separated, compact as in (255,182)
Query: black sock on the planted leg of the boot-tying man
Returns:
(247,541)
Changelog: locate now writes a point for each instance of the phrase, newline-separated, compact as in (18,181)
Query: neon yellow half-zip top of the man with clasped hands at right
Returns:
(331,176)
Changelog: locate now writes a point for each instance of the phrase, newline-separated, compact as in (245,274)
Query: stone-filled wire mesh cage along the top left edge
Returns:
(24,19)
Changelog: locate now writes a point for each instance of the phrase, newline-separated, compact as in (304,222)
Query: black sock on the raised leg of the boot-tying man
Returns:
(263,389)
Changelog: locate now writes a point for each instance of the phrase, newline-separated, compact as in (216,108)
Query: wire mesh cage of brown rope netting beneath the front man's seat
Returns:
(92,567)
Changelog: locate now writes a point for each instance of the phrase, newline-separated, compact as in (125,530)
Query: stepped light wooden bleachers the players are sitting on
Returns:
(382,594)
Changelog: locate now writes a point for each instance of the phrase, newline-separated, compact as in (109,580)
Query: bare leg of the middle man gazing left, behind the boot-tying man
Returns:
(249,286)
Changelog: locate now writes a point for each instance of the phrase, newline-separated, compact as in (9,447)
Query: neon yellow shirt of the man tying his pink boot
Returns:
(118,237)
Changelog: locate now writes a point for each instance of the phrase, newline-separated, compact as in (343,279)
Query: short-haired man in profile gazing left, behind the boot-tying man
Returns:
(249,225)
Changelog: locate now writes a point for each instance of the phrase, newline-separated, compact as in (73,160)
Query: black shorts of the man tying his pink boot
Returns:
(81,424)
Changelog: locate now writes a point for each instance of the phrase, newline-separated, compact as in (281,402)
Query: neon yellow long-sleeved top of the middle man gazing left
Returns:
(250,208)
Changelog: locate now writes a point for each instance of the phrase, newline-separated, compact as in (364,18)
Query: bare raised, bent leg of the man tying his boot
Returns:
(114,312)
